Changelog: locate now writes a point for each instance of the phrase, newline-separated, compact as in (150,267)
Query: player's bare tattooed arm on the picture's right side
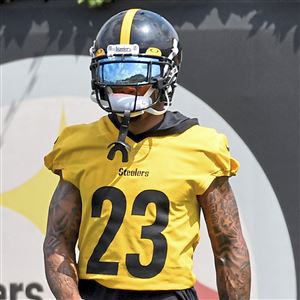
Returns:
(230,250)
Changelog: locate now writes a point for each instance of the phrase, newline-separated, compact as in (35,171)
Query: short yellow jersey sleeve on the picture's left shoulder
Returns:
(59,160)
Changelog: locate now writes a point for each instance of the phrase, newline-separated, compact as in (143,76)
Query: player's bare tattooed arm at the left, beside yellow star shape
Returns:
(64,218)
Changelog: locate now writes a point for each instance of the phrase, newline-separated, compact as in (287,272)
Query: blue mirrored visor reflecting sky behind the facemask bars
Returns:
(129,70)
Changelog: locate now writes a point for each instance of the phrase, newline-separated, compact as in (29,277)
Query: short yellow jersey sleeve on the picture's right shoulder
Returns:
(216,162)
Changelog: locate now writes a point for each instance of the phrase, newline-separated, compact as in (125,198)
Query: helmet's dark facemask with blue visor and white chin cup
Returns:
(120,72)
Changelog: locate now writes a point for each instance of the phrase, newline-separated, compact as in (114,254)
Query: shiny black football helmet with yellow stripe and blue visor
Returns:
(135,48)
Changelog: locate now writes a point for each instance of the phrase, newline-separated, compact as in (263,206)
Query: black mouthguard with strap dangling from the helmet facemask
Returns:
(120,144)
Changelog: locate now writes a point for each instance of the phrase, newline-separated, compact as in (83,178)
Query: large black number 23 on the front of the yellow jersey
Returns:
(152,232)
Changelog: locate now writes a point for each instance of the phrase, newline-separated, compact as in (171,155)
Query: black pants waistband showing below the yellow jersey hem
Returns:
(91,290)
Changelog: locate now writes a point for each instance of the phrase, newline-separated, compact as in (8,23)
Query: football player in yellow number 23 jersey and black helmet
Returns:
(133,183)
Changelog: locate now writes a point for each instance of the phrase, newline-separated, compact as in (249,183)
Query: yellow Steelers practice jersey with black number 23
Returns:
(140,219)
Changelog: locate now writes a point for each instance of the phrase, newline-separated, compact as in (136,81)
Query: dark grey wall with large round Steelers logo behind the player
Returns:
(240,74)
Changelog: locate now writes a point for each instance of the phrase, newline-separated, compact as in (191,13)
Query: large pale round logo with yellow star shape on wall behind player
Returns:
(53,92)
